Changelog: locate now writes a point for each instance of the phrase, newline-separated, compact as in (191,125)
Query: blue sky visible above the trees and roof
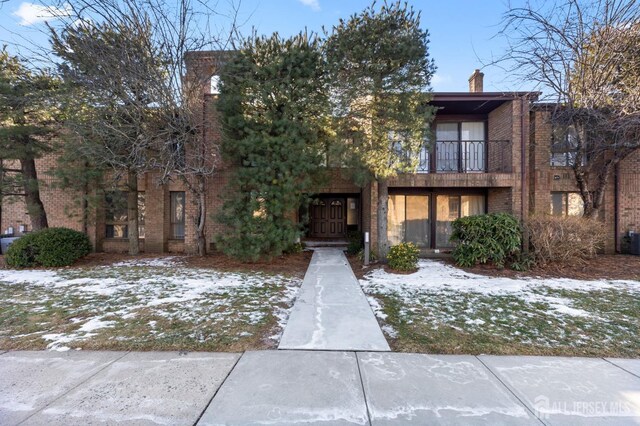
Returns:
(462,31)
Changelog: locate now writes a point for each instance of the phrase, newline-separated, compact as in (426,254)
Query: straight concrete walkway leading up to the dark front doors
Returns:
(331,311)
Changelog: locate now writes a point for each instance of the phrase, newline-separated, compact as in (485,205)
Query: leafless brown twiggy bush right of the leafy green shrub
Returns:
(569,239)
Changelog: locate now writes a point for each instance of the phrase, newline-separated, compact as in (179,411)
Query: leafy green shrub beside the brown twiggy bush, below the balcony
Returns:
(489,238)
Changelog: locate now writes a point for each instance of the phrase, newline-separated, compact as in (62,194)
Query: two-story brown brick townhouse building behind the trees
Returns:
(493,152)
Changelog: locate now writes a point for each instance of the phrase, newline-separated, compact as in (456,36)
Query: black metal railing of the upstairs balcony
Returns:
(479,156)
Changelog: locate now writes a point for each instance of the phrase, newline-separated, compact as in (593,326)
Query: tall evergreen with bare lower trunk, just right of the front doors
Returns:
(380,74)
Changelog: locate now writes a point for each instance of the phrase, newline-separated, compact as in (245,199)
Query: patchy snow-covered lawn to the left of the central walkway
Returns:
(149,304)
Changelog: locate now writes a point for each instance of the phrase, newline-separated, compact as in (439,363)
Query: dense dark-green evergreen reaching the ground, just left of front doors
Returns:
(273,110)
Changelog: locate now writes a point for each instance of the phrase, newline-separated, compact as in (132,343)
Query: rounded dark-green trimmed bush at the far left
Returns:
(48,247)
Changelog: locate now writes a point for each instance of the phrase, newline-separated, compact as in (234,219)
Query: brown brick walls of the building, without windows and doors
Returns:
(506,185)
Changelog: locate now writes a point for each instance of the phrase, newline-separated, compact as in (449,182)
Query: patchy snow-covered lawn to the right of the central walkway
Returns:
(443,309)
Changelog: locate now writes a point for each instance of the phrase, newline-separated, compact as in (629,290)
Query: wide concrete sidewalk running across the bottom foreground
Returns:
(314,387)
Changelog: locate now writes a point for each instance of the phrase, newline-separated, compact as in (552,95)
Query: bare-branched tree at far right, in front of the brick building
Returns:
(585,55)
